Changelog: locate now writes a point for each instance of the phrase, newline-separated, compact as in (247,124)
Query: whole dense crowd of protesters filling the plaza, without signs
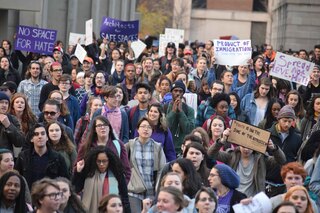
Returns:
(149,133)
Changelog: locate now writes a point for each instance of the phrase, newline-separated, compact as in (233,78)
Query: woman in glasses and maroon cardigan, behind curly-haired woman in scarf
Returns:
(101,133)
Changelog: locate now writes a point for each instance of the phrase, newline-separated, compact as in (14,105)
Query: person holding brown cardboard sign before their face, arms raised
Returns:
(250,165)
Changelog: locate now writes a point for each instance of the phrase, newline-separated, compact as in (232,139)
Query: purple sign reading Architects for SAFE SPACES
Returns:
(119,31)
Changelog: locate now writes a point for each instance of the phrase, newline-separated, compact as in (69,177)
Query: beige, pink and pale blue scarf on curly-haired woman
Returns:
(94,187)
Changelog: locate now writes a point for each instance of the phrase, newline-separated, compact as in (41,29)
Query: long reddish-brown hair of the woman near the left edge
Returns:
(28,118)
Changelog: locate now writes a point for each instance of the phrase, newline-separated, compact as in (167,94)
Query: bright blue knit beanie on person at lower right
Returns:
(228,176)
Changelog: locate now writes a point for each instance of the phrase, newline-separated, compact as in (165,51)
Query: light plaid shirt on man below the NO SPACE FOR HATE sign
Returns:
(32,91)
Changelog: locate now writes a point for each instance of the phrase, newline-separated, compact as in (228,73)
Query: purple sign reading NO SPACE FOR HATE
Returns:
(38,40)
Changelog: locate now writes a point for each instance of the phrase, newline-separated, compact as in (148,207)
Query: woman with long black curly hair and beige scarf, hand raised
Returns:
(98,175)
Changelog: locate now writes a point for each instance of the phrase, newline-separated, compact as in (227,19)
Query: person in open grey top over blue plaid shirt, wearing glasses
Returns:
(147,159)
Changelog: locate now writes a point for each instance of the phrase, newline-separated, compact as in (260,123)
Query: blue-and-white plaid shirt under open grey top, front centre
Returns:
(144,157)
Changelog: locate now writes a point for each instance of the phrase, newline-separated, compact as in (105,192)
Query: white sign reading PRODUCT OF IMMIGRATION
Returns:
(232,52)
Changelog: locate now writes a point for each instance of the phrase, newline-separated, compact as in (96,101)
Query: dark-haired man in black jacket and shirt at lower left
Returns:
(40,161)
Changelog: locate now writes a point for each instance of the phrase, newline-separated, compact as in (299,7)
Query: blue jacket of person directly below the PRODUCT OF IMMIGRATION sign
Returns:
(245,88)
